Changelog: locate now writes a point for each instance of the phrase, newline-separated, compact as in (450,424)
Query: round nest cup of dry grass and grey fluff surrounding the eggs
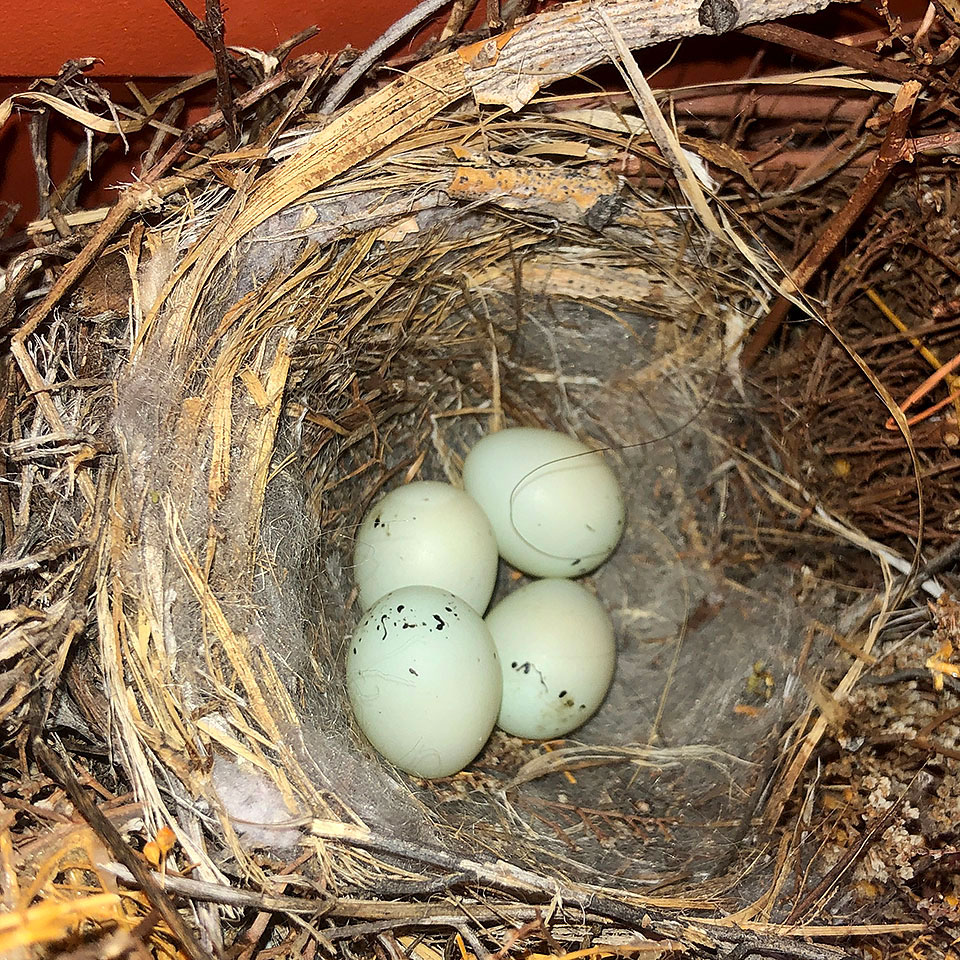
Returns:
(279,379)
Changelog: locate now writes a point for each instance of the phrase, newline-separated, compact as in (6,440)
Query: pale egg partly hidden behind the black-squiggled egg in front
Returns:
(426,533)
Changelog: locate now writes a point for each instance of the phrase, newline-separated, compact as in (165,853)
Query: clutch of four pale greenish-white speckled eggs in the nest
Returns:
(423,672)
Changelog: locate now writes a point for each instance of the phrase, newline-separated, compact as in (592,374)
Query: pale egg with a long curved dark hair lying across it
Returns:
(554,504)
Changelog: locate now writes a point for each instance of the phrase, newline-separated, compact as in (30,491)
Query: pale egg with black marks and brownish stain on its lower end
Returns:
(557,652)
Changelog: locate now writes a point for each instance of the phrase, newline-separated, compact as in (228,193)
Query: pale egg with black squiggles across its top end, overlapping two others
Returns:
(424,680)
